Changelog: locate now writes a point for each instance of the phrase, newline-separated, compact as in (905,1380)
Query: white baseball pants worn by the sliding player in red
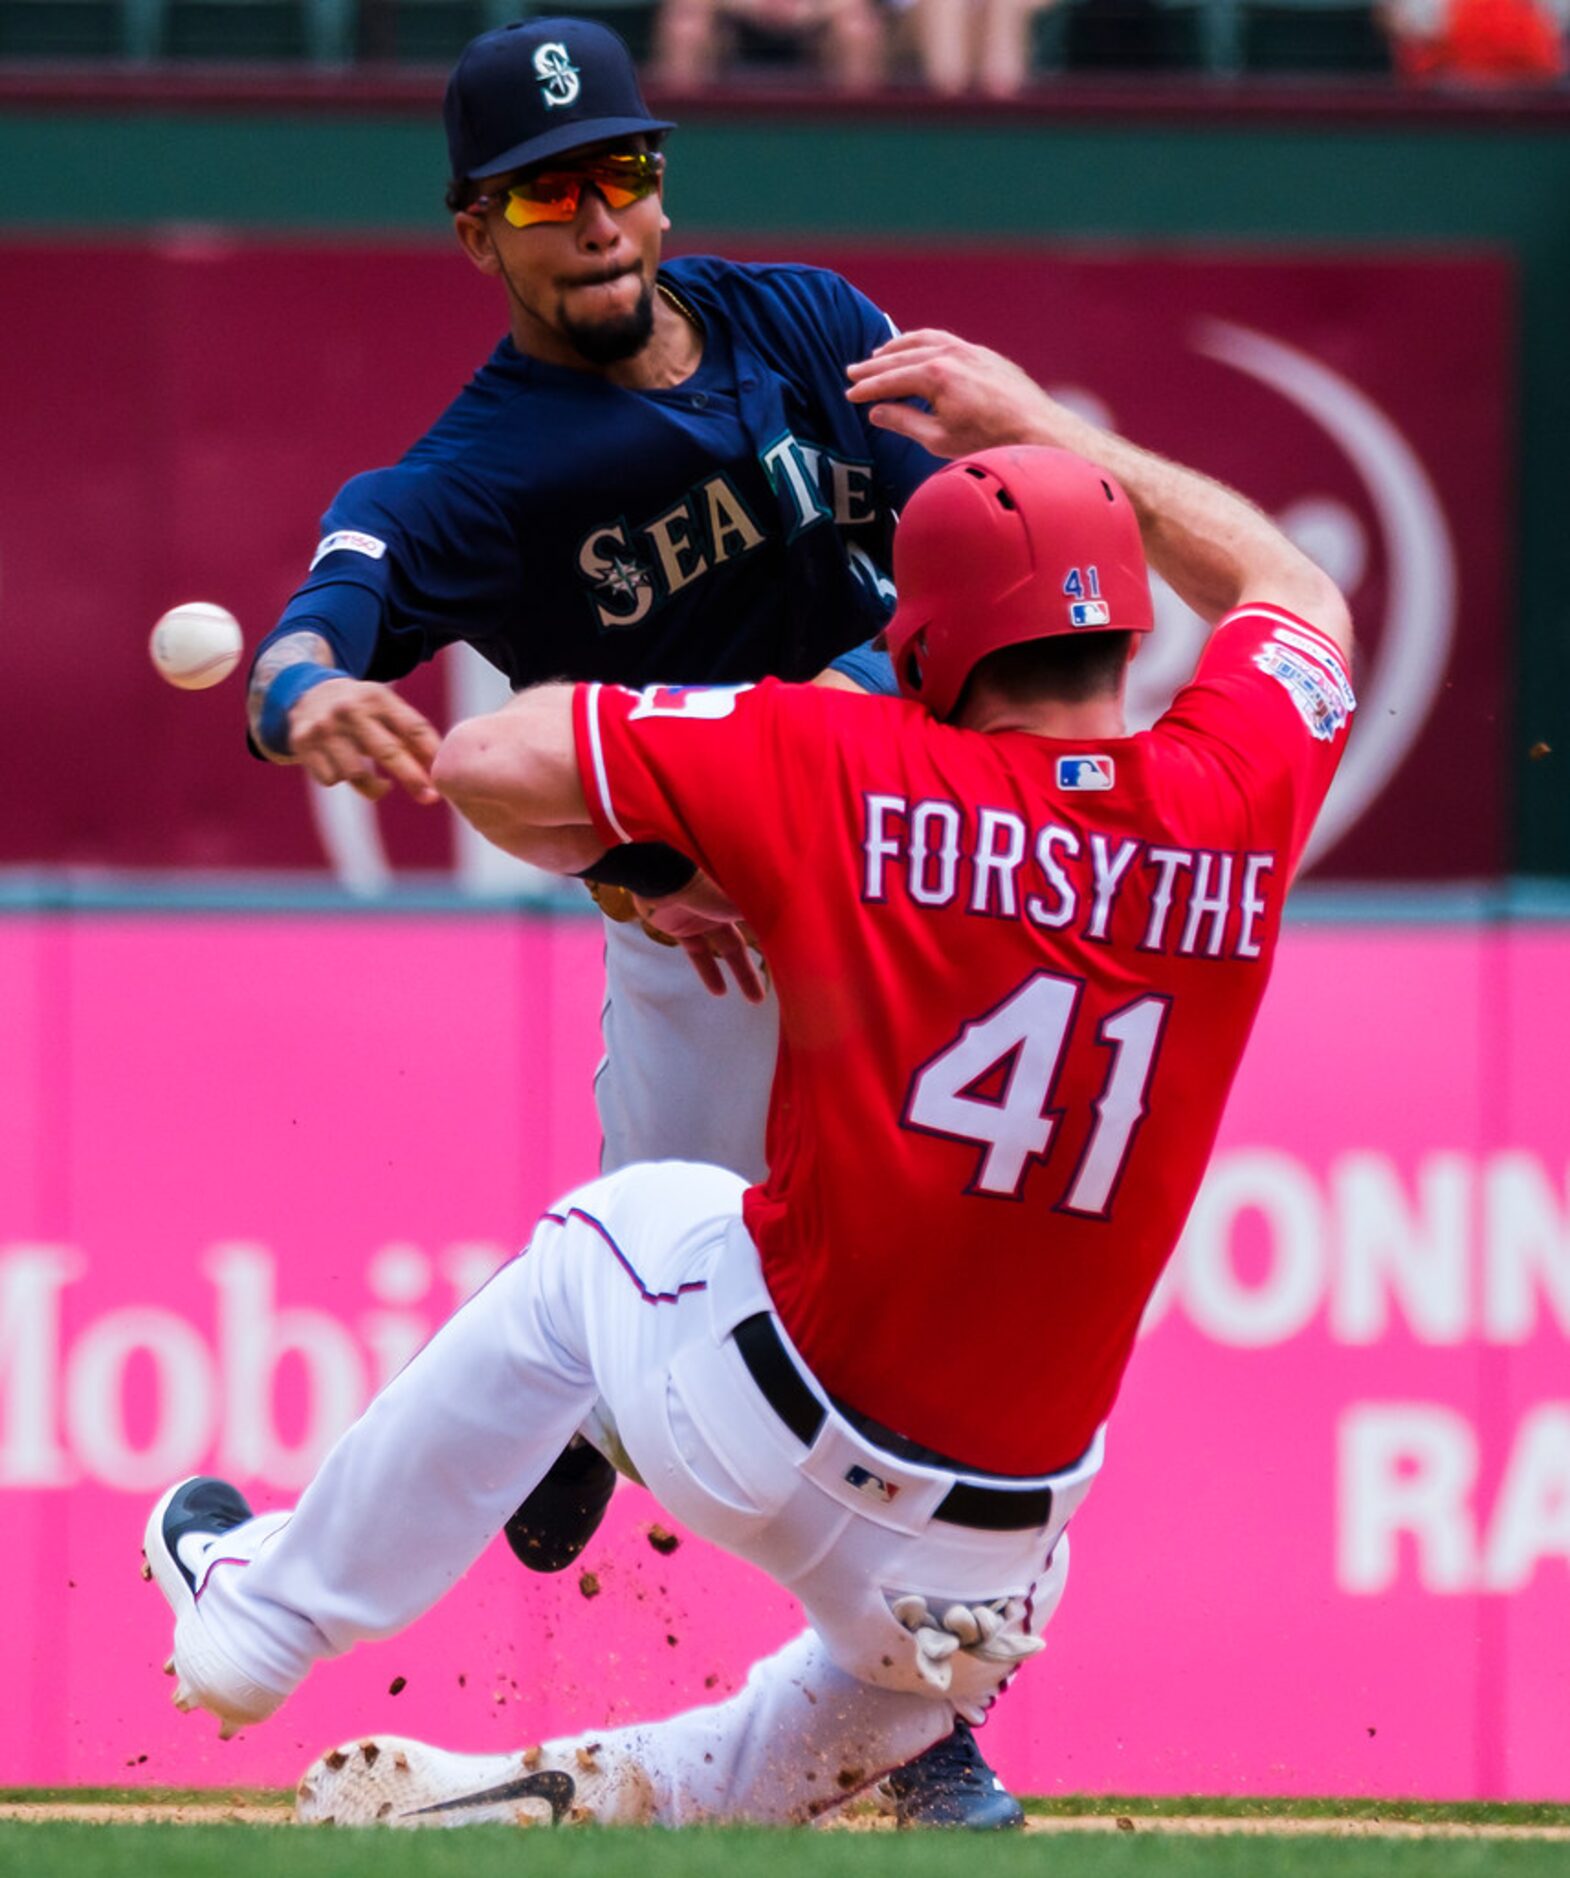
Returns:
(630,1289)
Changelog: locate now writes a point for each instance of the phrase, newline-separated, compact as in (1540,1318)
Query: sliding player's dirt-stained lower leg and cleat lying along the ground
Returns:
(797,1742)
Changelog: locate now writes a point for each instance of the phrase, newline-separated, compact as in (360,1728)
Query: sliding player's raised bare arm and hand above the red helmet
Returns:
(1214,547)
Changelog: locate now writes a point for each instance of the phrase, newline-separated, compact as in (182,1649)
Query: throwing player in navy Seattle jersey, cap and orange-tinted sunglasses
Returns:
(654,478)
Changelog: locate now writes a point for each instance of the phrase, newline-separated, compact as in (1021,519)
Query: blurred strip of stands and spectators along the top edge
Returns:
(949,48)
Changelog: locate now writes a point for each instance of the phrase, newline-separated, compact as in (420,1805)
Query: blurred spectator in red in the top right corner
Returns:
(1479,42)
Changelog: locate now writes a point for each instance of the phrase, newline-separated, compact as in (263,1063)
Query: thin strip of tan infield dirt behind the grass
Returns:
(249,1813)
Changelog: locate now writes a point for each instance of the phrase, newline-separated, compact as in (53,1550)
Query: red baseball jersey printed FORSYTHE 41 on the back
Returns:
(1015,981)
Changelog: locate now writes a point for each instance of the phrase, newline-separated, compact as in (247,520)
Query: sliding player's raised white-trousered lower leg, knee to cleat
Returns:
(401,1507)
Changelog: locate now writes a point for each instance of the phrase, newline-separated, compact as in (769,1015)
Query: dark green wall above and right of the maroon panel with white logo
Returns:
(1178,176)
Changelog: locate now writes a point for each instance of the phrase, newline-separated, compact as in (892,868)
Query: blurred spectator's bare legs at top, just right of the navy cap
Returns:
(696,38)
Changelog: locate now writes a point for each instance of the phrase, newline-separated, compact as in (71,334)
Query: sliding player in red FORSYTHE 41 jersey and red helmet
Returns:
(1019,955)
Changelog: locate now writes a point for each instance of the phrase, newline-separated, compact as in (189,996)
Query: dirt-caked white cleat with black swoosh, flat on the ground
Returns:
(390,1781)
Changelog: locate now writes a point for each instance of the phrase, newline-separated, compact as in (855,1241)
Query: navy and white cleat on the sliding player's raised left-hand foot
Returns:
(183,1543)
